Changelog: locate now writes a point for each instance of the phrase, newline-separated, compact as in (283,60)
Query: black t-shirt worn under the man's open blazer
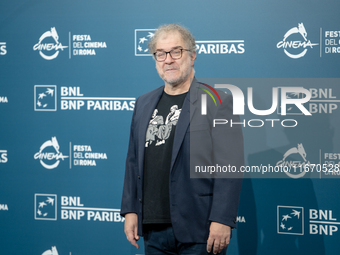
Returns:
(157,158)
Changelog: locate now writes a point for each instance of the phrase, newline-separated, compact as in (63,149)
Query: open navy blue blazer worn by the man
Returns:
(194,202)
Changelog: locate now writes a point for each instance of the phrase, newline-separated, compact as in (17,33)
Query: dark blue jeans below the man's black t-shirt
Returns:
(160,240)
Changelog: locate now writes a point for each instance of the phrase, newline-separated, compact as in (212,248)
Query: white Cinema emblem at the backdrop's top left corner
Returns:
(50,46)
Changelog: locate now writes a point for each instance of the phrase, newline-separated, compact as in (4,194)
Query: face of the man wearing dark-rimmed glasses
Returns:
(172,71)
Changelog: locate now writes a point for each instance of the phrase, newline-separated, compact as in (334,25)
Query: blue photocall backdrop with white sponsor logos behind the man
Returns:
(71,72)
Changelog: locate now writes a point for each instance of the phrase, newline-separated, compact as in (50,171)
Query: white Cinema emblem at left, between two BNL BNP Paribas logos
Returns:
(49,154)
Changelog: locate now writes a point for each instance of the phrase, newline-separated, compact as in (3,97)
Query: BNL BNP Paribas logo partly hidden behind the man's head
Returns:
(143,36)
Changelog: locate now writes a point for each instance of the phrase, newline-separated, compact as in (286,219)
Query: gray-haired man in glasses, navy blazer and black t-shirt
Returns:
(177,214)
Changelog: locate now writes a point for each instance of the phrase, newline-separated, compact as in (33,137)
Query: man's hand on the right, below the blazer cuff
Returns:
(219,237)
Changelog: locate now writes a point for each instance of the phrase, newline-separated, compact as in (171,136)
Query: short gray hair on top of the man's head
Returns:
(187,37)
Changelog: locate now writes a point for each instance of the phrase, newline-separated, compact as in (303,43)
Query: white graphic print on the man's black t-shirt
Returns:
(159,131)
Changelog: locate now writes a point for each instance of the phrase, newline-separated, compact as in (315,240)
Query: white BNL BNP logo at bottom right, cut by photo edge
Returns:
(291,221)
